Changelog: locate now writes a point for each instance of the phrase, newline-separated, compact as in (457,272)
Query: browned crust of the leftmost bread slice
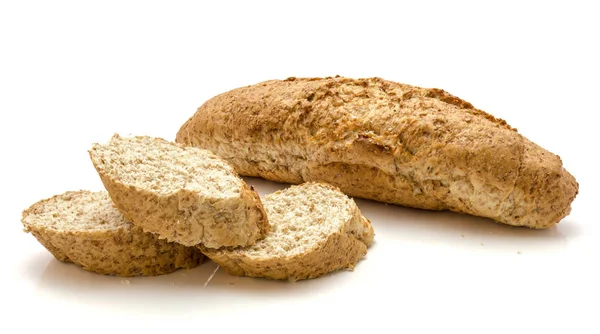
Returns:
(125,251)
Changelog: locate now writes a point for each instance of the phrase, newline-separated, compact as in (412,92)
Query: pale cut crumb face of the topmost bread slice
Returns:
(166,168)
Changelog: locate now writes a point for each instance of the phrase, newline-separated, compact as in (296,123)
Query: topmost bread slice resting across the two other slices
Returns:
(186,195)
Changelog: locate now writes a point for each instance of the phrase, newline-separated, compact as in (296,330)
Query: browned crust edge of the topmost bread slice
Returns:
(188,217)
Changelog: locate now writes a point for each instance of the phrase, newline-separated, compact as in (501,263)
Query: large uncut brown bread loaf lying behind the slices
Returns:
(388,142)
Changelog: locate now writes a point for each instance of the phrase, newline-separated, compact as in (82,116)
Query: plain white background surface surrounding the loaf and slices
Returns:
(74,73)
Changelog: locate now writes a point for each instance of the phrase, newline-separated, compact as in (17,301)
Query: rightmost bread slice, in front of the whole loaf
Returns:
(315,229)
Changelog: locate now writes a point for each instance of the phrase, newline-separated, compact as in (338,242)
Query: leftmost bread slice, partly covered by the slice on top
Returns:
(85,228)
